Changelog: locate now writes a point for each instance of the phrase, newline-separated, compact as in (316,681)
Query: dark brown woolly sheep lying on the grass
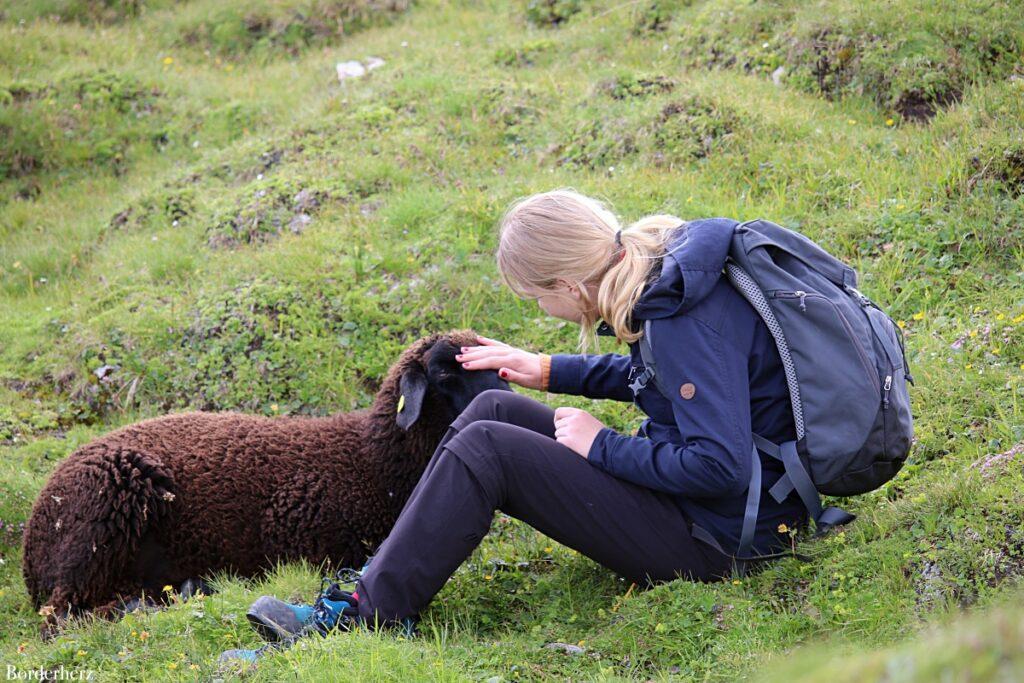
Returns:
(179,497)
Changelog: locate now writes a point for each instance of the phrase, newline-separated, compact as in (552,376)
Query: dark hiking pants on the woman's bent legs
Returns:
(500,454)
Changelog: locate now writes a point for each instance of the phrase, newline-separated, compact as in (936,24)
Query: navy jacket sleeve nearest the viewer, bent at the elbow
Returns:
(714,459)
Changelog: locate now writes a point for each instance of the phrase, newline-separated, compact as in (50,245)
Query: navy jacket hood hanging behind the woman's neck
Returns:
(693,265)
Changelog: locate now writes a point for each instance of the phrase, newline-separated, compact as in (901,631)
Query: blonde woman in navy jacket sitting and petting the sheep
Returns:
(628,502)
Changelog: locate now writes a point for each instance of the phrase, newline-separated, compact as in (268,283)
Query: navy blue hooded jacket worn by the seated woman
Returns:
(704,334)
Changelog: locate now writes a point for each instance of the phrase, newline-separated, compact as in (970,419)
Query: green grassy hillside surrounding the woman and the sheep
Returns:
(196,214)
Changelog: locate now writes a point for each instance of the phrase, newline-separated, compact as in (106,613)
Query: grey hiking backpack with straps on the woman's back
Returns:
(845,366)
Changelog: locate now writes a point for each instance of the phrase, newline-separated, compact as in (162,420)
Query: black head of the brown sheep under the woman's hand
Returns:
(429,370)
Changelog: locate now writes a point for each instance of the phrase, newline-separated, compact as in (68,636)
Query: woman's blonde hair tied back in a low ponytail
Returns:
(563,235)
